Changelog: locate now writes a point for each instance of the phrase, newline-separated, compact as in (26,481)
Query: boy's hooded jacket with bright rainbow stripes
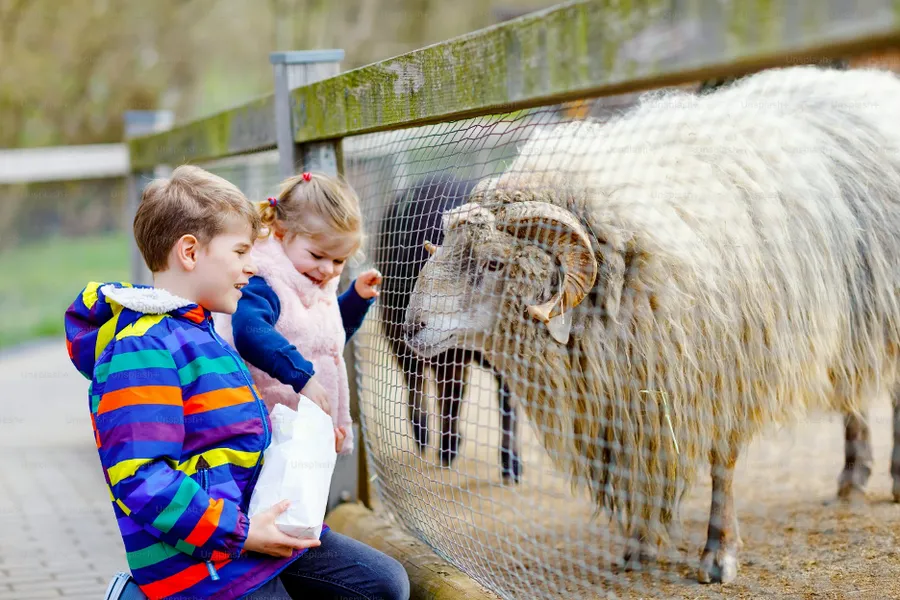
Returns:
(180,430)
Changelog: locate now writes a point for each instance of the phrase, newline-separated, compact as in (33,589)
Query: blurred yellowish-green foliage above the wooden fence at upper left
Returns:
(71,68)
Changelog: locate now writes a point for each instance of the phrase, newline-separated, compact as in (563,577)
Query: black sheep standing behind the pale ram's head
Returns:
(413,218)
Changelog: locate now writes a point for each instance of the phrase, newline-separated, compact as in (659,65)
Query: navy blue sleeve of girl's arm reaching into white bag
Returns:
(257,341)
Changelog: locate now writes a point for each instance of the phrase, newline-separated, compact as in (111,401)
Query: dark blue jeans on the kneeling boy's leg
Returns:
(341,568)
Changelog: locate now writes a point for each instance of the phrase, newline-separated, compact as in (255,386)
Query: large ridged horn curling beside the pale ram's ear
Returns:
(560,230)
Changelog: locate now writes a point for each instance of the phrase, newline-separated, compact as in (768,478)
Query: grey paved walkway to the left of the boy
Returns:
(59,538)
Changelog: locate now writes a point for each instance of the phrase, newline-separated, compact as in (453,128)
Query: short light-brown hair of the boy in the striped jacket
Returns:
(192,201)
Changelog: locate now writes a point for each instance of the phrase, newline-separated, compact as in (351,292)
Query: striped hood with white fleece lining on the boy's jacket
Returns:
(92,321)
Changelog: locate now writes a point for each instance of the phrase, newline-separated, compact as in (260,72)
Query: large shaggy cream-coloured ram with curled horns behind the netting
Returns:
(658,289)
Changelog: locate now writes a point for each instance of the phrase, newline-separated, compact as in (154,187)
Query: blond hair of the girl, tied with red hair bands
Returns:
(331,199)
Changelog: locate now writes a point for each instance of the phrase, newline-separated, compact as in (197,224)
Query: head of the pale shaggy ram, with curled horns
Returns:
(509,255)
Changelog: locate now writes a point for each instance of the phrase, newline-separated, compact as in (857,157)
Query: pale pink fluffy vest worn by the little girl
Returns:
(310,319)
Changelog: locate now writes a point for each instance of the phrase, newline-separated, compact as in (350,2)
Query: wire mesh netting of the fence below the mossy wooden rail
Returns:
(505,443)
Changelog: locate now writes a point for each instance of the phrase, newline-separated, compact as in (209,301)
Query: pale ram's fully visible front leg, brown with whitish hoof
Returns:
(718,563)
